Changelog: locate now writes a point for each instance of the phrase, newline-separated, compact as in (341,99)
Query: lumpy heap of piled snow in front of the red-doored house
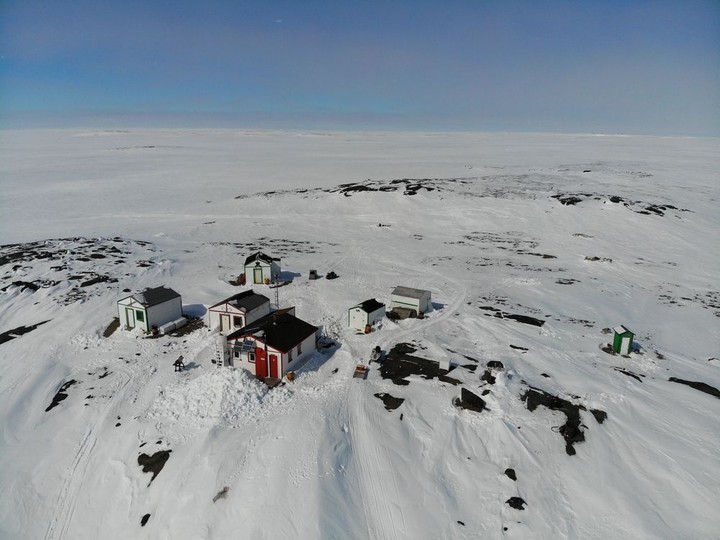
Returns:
(225,397)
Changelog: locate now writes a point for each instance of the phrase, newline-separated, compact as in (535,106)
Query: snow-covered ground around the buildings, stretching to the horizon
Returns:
(581,232)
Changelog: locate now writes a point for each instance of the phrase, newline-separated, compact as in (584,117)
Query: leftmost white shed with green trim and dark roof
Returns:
(150,308)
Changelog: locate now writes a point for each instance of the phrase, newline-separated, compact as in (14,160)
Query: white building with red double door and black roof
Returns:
(272,345)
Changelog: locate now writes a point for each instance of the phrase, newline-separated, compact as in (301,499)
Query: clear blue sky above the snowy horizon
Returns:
(584,66)
